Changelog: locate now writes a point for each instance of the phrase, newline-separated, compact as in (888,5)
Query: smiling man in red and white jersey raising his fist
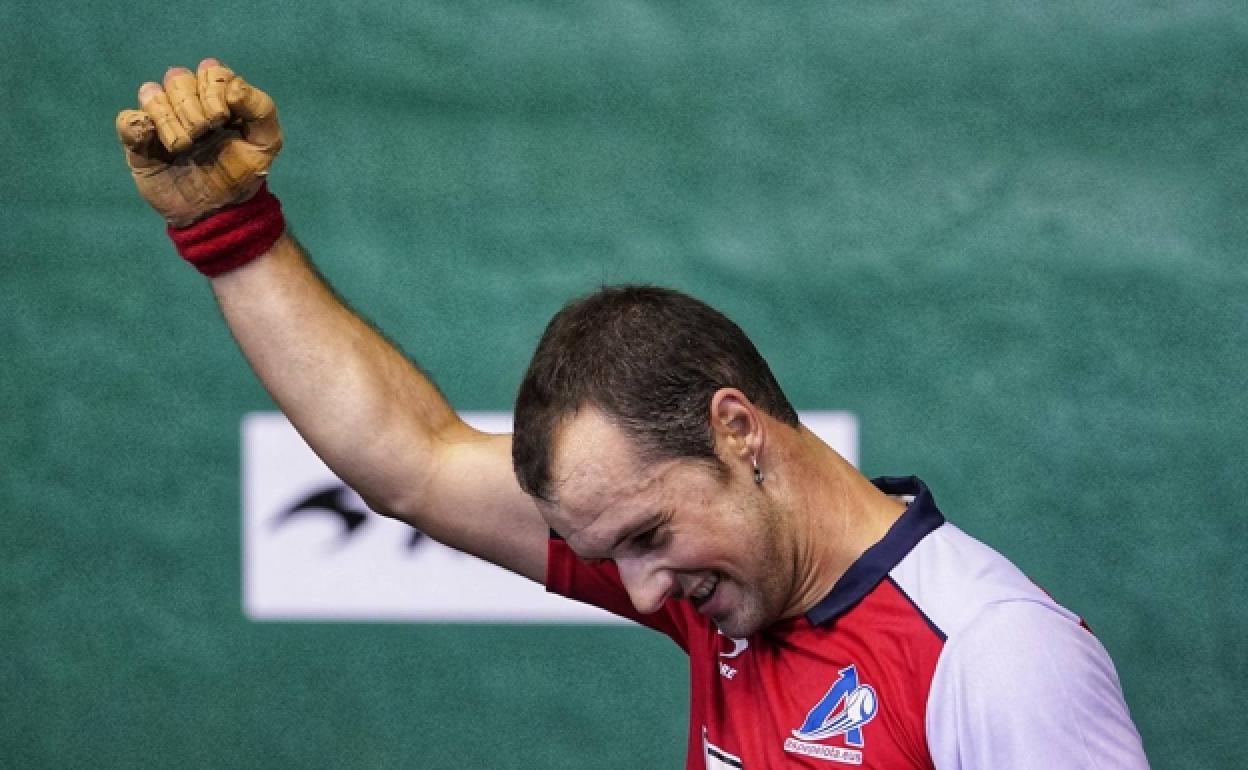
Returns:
(657,471)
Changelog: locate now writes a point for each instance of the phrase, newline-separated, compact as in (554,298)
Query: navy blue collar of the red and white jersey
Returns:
(919,520)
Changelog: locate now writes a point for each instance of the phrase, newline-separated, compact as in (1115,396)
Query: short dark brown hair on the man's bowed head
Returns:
(648,359)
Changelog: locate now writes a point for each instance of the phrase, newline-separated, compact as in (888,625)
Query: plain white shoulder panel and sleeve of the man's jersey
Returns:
(1020,681)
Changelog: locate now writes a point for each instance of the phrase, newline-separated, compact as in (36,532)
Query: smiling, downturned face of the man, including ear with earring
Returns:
(681,529)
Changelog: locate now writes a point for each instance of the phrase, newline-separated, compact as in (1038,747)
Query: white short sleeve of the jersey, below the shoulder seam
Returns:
(1025,688)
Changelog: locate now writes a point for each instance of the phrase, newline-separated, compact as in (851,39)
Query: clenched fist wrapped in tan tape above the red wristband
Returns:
(200,143)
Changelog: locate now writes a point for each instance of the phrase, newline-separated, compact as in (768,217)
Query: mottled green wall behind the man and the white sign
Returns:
(1010,236)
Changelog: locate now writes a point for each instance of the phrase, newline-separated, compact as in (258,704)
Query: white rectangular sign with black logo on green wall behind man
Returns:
(313,551)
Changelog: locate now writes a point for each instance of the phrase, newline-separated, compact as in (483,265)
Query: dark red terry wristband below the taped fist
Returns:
(233,236)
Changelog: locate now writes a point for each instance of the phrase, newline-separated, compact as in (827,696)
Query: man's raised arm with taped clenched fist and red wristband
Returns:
(200,148)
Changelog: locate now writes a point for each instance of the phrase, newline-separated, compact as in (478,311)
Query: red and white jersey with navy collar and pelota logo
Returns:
(932,652)
